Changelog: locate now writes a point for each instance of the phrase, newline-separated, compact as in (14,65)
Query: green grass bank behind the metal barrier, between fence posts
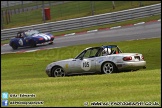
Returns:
(70,10)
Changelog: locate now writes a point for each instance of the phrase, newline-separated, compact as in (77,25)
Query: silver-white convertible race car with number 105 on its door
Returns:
(103,59)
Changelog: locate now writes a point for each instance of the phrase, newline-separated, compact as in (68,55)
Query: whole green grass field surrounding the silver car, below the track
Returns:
(25,73)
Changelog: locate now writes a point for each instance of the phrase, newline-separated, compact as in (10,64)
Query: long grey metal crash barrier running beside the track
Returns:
(89,21)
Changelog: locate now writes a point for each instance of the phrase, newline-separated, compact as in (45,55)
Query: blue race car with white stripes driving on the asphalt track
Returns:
(30,38)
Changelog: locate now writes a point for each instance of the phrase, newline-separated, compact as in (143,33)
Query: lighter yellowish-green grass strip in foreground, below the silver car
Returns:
(74,91)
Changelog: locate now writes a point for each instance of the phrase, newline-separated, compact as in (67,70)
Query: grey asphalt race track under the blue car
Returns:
(141,31)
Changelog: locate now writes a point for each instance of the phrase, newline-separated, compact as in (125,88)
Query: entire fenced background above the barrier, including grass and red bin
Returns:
(23,13)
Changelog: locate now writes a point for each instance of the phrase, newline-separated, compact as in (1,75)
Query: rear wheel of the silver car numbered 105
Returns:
(108,68)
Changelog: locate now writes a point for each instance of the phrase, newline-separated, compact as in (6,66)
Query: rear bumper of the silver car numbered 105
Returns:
(131,65)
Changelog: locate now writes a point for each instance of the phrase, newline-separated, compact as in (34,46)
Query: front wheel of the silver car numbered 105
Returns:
(58,72)
